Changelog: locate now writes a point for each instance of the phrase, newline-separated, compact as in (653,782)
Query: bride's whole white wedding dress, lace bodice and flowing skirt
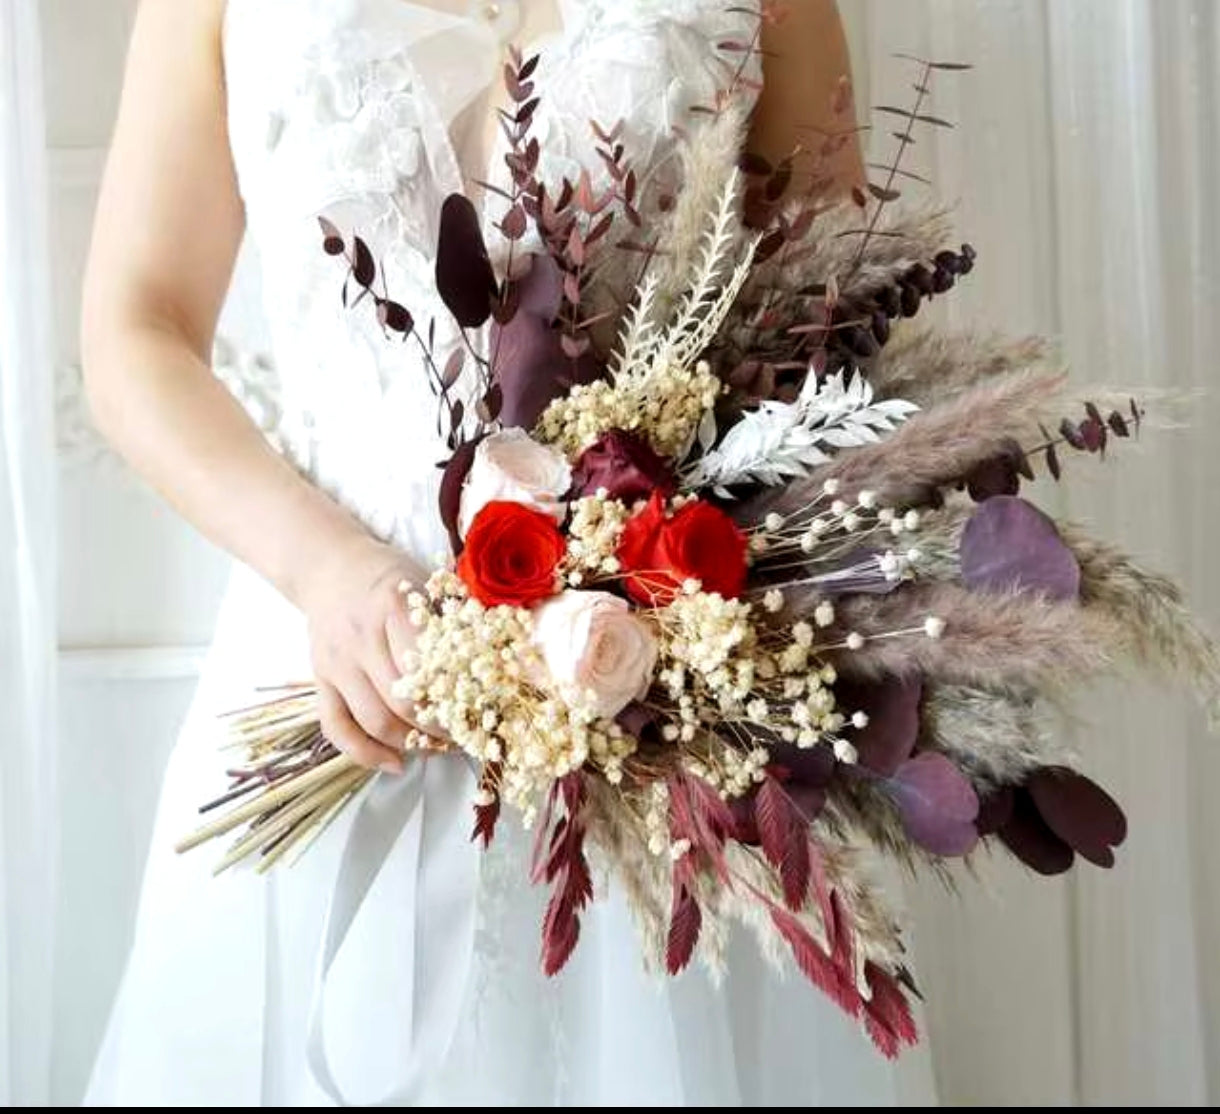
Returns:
(396,965)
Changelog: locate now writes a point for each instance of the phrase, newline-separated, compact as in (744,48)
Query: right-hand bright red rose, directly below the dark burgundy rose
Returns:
(697,542)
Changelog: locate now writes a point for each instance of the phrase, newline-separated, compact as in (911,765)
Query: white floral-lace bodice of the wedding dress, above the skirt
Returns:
(345,109)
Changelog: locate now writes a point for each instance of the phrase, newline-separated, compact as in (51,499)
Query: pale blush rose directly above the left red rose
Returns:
(511,467)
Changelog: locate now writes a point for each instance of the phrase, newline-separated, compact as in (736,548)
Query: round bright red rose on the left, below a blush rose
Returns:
(511,557)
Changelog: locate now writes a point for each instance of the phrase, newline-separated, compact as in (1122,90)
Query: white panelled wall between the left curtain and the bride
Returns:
(138,589)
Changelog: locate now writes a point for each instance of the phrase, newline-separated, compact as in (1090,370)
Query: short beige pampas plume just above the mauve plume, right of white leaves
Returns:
(928,367)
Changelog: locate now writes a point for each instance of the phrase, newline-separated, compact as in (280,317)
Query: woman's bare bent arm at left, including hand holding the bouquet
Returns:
(168,230)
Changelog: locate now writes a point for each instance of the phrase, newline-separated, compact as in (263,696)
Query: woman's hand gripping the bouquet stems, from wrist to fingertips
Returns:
(359,631)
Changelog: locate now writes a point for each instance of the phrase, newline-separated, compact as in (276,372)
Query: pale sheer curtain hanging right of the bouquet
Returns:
(1086,170)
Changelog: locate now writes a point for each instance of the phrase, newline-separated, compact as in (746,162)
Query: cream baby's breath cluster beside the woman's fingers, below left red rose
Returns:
(473,677)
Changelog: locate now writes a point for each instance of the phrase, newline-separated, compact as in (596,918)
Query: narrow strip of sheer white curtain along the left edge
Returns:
(27,575)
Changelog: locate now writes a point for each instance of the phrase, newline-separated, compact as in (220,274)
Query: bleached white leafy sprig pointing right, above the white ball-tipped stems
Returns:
(780,441)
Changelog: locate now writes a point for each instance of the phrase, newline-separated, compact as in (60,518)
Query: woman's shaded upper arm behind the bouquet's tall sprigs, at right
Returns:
(806,60)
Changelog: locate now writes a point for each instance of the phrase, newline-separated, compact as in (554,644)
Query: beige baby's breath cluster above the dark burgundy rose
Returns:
(664,401)
